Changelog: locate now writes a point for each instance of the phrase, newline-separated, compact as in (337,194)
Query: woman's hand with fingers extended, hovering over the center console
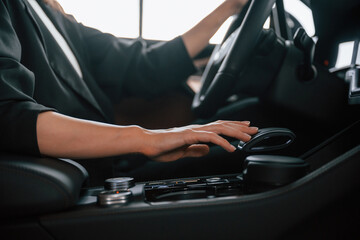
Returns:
(172,144)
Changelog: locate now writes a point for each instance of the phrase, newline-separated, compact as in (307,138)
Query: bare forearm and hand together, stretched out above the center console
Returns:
(67,137)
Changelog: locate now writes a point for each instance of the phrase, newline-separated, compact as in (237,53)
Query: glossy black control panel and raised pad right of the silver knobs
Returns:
(261,173)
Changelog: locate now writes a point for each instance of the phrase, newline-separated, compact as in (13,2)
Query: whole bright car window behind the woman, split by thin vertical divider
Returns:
(161,19)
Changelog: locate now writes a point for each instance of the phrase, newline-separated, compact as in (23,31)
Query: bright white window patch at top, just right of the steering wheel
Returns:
(302,13)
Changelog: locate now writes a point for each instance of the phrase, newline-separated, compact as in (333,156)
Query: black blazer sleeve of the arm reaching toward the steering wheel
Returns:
(135,67)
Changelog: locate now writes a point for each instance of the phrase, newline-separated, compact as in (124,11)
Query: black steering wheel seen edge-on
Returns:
(229,58)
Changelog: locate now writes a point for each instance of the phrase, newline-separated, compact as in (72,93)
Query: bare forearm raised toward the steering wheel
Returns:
(198,37)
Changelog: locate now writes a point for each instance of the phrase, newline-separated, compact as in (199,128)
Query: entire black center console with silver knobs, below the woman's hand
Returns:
(269,197)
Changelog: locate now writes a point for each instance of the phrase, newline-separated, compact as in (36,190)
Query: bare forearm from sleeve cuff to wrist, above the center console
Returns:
(62,136)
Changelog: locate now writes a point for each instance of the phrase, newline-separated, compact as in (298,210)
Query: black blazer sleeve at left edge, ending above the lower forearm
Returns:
(18,109)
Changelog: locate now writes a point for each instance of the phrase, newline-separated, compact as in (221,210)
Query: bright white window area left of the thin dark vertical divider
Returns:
(119,17)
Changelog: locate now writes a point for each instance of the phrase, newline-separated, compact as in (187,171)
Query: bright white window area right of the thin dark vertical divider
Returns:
(166,19)
